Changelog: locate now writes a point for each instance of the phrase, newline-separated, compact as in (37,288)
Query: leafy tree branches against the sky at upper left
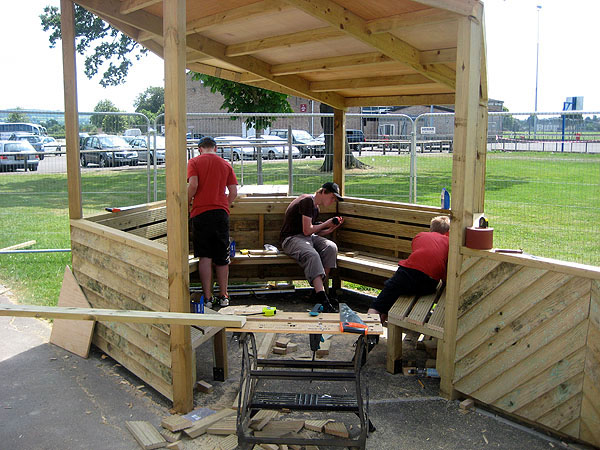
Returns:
(111,47)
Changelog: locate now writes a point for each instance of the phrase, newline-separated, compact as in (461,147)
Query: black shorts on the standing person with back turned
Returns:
(211,236)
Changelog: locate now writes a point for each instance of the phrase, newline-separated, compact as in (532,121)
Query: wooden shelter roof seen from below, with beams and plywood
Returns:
(341,52)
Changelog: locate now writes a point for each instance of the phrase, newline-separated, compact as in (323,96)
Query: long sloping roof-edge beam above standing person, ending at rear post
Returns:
(253,65)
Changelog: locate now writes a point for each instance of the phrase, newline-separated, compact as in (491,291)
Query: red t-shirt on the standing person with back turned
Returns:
(214,174)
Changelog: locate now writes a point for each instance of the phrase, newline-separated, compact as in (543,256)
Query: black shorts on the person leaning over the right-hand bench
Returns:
(404,282)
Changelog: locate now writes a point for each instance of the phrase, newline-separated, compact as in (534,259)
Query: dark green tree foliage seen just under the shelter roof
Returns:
(240,98)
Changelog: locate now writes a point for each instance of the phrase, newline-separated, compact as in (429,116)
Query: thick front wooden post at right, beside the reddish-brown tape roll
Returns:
(468,68)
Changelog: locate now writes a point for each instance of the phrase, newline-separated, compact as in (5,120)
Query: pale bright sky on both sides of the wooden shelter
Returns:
(31,74)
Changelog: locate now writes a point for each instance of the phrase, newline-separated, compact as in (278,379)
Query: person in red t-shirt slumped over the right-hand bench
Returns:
(421,272)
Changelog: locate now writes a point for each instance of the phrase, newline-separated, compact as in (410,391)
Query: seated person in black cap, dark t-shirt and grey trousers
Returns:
(302,238)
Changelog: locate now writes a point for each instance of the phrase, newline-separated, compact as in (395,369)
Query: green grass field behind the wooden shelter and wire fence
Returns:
(546,204)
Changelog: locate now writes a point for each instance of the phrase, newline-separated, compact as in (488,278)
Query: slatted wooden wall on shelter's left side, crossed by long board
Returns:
(116,272)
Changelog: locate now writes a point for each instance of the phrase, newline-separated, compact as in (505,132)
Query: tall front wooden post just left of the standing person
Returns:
(177,213)
